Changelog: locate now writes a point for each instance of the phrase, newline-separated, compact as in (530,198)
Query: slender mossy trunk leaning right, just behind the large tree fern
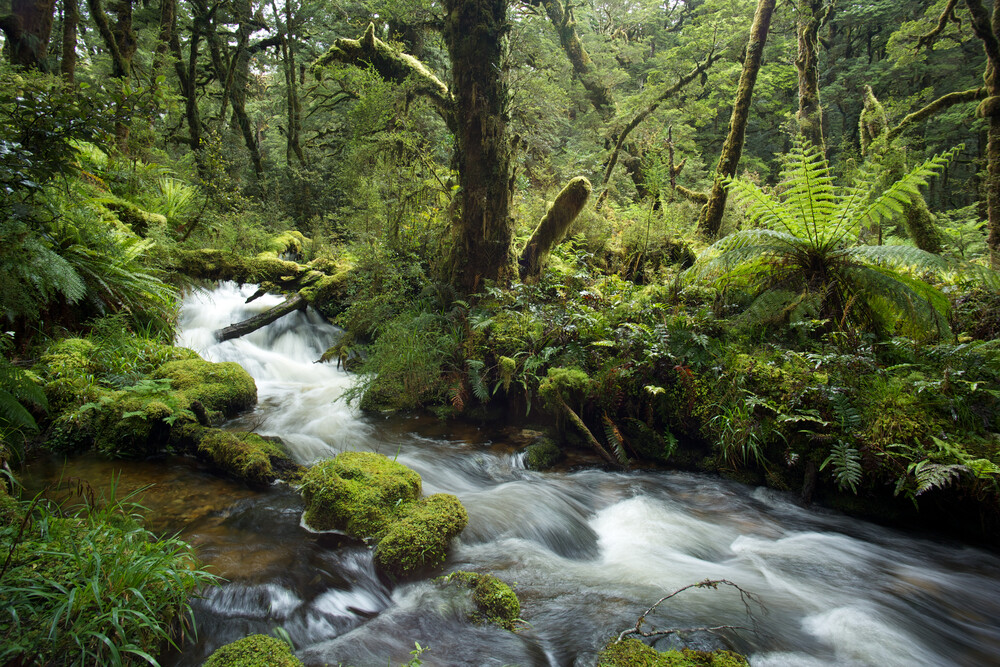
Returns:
(710,219)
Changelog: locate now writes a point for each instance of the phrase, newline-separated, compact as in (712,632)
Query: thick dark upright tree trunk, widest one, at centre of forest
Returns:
(476,34)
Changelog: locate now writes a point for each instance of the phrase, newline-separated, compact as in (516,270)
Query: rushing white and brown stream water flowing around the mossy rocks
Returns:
(588,550)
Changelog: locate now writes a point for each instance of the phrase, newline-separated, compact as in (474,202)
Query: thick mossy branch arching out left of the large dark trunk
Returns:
(392,65)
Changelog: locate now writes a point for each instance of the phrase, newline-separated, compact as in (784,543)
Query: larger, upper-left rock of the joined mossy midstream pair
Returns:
(357,492)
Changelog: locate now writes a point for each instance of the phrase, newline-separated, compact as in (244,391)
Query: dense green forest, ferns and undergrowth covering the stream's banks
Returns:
(778,267)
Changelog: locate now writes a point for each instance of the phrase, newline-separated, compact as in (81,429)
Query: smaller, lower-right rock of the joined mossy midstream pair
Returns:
(420,538)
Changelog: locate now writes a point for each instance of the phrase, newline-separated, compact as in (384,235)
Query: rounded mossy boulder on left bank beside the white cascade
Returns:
(221,387)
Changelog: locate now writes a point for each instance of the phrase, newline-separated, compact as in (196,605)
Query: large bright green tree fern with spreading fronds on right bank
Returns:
(806,240)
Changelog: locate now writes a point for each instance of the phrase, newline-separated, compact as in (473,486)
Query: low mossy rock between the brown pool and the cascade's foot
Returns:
(246,456)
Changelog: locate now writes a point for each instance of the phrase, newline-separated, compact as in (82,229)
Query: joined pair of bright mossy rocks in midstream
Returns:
(369,496)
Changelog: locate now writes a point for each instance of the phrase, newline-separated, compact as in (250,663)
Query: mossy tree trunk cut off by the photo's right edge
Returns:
(987,28)
